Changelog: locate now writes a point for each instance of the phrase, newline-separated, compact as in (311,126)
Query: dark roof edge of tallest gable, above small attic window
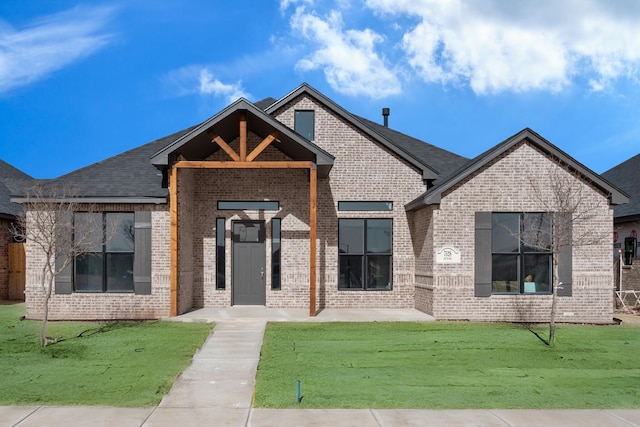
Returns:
(428,172)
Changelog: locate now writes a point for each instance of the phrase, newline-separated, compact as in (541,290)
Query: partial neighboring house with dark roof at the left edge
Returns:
(12,182)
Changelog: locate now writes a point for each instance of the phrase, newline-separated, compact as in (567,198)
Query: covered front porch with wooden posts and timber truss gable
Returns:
(238,184)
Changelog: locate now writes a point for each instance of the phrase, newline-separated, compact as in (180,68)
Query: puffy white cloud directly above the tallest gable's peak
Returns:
(347,57)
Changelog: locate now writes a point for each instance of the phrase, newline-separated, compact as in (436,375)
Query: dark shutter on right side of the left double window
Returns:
(142,254)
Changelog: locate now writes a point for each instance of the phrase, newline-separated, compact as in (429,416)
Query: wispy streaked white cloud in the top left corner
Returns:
(32,53)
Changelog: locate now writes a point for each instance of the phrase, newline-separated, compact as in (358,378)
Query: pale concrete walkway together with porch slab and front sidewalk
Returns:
(217,389)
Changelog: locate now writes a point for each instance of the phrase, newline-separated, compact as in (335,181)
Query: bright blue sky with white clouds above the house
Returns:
(83,81)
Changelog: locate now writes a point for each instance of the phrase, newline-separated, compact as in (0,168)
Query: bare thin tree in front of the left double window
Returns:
(48,225)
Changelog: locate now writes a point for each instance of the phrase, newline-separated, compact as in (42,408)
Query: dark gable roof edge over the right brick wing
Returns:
(434,195)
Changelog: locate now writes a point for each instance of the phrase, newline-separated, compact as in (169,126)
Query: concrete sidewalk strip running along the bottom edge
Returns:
(184,417)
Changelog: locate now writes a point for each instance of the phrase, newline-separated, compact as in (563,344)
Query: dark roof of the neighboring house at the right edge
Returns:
(626,176)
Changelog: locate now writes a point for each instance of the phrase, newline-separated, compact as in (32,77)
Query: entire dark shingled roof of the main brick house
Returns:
(139,175)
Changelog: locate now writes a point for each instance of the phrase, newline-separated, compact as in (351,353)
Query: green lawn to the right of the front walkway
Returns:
(447,365)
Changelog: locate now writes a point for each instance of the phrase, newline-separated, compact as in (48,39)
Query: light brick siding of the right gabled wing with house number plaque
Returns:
(505,185)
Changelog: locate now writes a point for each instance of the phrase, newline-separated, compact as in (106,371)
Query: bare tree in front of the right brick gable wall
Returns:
(569,197)
